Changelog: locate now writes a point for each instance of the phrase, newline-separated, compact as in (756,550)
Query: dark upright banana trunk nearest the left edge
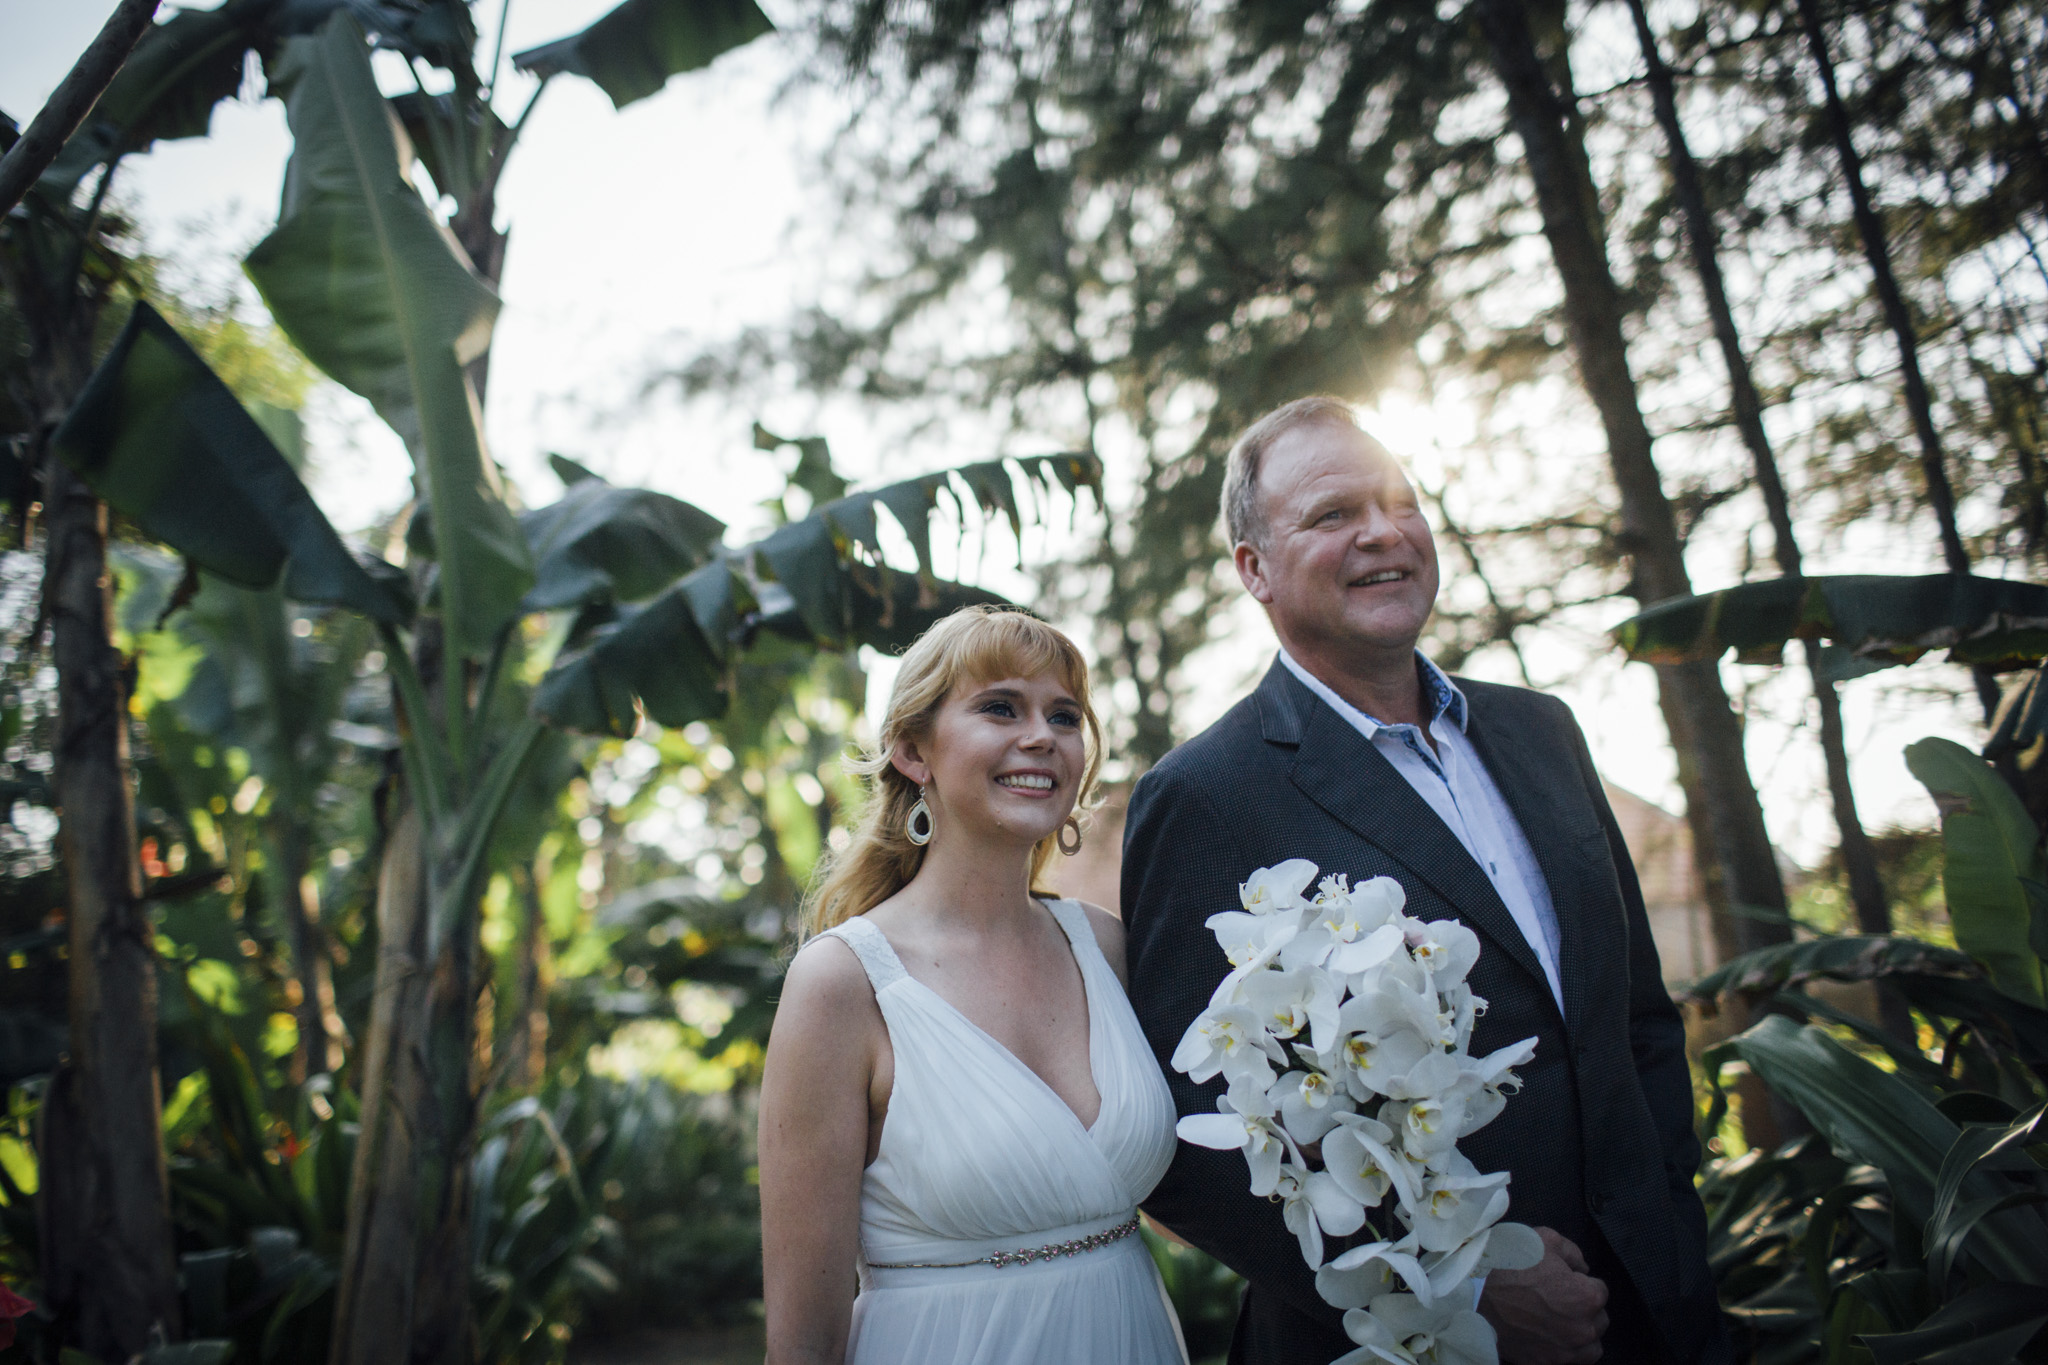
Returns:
(105,1210)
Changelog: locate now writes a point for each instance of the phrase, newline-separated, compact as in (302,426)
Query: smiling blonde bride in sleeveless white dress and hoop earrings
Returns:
(959,1110)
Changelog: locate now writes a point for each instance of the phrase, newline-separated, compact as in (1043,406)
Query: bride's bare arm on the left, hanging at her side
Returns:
(814,1143)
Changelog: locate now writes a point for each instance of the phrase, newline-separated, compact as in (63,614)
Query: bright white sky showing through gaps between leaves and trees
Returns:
(697,214)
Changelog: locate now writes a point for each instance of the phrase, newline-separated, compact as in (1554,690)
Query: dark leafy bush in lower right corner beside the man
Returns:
(1910,1225)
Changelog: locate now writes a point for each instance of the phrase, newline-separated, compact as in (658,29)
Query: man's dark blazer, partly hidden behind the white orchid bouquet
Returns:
(1601,1139)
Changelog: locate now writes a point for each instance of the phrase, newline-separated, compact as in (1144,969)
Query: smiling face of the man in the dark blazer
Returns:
(1349,558)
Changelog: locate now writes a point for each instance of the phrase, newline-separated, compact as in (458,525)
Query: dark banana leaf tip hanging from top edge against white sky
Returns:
(634,50)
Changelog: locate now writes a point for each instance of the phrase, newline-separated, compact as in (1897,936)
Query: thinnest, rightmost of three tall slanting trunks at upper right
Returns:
(1879,253)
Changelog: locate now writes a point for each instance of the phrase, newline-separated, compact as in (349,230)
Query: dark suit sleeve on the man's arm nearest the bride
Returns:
(1183,865)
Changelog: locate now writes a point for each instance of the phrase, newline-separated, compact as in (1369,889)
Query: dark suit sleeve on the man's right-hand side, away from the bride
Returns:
(1656,1030)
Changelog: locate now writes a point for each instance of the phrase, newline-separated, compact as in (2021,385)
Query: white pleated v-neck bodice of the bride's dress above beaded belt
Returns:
(978,1151)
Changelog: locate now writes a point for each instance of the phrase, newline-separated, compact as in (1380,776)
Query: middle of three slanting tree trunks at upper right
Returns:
(1859,858)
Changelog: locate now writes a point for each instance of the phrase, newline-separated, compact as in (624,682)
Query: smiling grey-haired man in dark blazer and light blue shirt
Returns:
(1484,803)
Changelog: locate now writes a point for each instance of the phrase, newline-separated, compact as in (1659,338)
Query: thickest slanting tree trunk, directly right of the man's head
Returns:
(1723,809)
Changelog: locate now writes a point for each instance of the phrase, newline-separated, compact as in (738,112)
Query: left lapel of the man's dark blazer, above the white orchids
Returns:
(1355,783)
